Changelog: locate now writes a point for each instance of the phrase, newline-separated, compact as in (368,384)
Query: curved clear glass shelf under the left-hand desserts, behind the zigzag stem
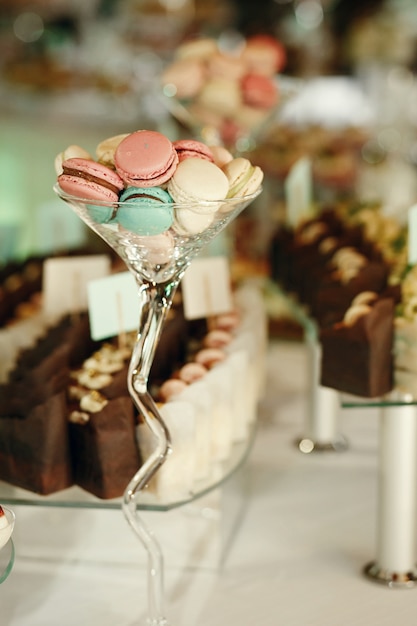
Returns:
(75,497)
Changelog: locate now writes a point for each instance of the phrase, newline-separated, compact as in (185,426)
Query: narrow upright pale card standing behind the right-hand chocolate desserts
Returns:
(298,191)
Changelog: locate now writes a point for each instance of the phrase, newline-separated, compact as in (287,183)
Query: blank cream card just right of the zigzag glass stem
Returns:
(206,288)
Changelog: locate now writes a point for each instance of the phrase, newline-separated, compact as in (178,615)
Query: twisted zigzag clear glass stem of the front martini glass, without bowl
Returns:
(155,301)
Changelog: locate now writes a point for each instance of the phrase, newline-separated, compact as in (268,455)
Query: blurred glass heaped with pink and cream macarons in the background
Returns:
(227,91)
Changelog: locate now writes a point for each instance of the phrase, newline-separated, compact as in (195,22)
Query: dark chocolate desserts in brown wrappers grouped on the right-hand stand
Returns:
(345,266)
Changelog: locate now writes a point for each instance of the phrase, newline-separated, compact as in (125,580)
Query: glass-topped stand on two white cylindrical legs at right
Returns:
(395,561)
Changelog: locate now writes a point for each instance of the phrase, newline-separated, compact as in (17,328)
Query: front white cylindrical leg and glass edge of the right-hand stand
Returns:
(395,561)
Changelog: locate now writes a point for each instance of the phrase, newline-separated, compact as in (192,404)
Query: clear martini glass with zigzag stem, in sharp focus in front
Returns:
(157,261)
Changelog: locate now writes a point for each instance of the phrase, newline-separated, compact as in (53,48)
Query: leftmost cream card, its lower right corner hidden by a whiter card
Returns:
(65,281)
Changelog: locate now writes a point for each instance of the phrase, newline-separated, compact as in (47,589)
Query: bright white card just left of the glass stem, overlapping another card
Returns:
(113,305)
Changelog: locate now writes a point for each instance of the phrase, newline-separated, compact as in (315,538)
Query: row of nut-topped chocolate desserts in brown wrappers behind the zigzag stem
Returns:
(102,418)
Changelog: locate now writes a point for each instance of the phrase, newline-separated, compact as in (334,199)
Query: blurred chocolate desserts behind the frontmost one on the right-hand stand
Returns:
(334,249)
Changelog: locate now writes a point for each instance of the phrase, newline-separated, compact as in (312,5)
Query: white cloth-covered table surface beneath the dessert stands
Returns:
(283,541)
